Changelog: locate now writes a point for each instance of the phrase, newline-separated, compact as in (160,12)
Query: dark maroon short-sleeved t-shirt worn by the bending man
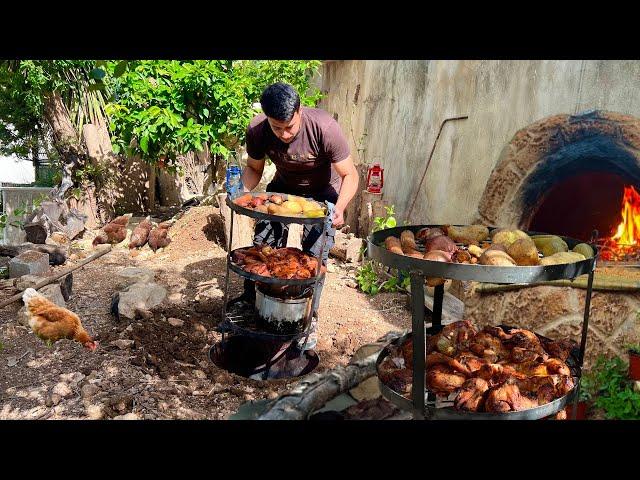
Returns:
(303,167)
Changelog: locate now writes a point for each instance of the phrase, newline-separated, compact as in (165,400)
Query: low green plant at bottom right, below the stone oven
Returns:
(611,389)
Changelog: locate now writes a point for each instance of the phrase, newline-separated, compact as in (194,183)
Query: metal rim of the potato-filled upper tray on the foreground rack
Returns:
(480,273)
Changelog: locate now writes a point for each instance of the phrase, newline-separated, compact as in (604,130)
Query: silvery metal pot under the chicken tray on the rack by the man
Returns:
(283,315)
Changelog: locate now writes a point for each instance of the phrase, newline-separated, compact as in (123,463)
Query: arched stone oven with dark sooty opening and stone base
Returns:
(566,175)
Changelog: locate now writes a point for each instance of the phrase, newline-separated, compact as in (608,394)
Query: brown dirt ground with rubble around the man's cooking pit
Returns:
(165,373)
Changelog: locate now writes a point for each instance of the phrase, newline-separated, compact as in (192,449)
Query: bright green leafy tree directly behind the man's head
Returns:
(162,109)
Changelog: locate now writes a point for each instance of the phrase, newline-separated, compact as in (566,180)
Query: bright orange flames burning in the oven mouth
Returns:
(624,242)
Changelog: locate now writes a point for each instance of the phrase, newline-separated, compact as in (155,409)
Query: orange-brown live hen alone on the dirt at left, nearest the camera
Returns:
(52,323)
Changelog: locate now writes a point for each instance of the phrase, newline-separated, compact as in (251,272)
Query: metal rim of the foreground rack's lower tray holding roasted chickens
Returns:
(450,413)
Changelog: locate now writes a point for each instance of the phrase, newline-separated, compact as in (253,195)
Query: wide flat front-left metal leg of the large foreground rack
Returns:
(417,307)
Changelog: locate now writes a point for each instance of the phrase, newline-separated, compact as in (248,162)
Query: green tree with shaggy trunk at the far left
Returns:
(49,101)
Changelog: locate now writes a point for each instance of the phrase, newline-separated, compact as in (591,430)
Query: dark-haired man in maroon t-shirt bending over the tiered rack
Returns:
(312,159)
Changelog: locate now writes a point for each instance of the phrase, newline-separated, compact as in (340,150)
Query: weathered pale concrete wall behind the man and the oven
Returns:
(400,105)
